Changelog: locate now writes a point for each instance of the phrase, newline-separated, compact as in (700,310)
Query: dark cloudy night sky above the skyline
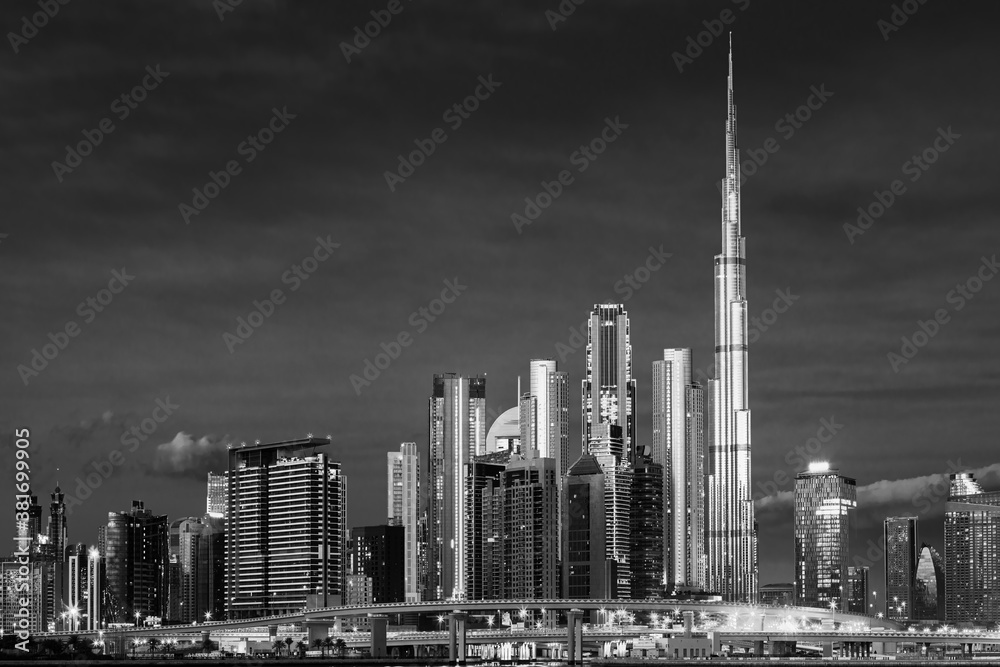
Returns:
(323,175)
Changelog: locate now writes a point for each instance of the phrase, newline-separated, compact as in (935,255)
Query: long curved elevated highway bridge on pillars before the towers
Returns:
(729,623)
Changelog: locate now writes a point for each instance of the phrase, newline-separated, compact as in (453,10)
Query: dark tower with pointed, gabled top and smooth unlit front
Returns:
(587,572)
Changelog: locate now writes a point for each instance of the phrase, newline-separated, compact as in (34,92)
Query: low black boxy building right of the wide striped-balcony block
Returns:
(376,552)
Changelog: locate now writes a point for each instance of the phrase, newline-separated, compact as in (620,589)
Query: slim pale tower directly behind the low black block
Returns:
(403,480)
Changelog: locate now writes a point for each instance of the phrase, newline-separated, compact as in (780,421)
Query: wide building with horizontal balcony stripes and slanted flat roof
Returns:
(285,529)
